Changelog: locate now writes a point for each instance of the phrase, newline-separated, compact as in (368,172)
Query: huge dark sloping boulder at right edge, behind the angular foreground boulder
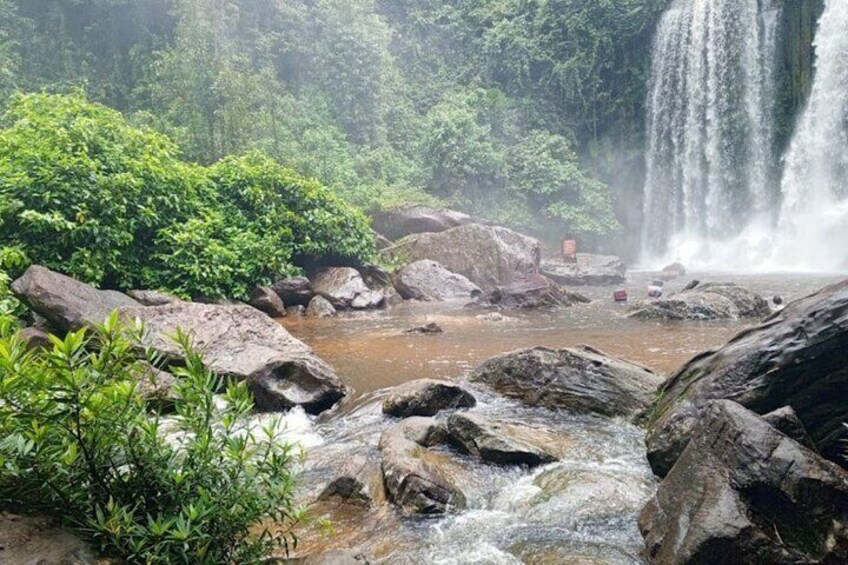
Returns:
(797,357)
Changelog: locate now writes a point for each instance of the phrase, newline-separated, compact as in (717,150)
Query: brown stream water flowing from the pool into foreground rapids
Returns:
(581,509)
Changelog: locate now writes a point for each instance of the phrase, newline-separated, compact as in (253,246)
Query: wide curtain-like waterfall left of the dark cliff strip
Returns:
(710,131)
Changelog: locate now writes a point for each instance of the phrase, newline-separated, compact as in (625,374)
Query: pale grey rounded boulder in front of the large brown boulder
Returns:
(428,280)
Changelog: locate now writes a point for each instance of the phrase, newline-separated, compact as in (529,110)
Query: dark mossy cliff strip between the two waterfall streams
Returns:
(796,66)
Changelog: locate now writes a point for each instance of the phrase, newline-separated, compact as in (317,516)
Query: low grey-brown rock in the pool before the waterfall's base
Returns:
(707,301)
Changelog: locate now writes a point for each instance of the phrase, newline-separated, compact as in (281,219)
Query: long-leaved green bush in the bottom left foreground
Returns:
(79,444)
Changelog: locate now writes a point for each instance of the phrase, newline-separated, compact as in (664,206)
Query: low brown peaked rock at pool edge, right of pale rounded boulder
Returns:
(529,292)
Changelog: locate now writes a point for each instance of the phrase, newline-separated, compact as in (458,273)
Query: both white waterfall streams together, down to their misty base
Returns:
(708,200)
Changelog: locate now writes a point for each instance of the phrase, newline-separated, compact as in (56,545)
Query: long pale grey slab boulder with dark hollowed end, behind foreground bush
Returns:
(241,342)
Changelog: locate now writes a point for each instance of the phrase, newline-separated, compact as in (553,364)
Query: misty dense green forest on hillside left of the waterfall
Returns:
(523,111)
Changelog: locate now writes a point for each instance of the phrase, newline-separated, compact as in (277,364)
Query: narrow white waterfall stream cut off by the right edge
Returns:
(812,230)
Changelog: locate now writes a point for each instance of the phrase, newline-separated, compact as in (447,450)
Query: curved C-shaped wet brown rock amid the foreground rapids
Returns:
(415,485)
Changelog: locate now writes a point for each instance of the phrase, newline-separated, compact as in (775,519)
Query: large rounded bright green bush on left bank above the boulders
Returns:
(83,192)
